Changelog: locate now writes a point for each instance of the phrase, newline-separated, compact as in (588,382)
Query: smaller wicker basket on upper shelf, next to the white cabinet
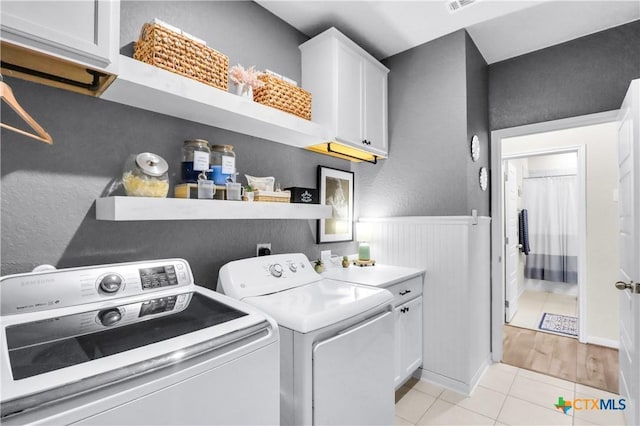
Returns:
(284,96)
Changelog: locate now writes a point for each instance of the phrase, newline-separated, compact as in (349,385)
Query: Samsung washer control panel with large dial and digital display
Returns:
(52,289)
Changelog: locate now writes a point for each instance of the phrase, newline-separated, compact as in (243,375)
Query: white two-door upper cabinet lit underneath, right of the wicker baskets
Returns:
(349,91)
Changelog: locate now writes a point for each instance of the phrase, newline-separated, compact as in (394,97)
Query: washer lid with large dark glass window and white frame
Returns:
(86,355)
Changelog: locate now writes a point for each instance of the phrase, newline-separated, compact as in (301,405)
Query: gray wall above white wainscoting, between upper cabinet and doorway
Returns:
(437,99)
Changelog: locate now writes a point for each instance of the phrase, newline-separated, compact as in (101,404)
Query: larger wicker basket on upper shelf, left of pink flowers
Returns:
(174,52)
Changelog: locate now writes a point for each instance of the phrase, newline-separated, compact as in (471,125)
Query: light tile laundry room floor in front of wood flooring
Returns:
(506,395)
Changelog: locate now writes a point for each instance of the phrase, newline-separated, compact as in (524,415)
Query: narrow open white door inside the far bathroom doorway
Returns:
(511,242)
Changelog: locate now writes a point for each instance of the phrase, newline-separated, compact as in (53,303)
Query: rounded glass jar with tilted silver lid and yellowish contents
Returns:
(145,175)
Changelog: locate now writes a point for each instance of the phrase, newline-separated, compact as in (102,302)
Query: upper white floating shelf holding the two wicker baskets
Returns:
(147,87)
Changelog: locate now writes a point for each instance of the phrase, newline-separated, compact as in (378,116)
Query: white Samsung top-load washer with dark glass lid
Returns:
(133,343)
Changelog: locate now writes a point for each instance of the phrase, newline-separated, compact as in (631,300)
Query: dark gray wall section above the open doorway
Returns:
(583,76)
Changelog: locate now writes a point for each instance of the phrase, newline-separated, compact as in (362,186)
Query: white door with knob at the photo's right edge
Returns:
(629,241)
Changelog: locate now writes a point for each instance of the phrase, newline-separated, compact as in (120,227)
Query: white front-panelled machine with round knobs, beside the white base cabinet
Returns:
(337,365)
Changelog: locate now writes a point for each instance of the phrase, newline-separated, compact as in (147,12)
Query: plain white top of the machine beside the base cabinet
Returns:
(319,304)
